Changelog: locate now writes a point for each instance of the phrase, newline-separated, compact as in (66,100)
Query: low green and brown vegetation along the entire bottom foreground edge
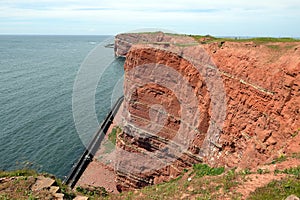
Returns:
(200,182)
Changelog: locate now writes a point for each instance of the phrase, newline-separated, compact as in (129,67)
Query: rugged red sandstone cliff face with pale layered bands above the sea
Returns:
(233,104)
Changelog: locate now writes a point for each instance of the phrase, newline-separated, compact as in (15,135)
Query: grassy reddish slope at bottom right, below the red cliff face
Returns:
(204,182)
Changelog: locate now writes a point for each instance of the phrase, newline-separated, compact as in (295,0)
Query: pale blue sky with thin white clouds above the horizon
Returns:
(274,18)
